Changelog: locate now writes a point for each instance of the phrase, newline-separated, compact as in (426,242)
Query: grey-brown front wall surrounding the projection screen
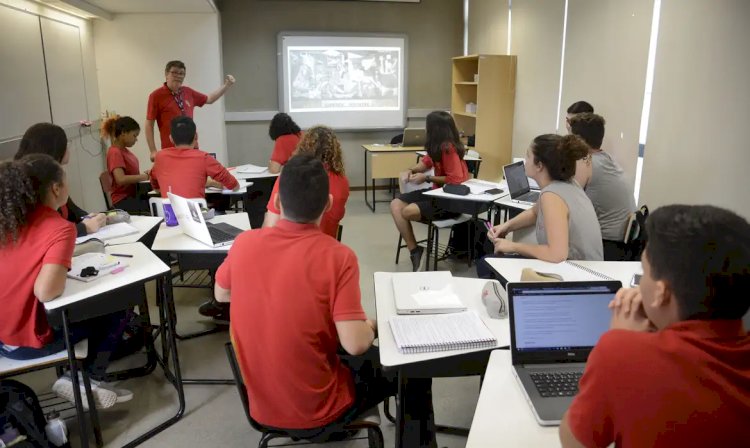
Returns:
(249,33)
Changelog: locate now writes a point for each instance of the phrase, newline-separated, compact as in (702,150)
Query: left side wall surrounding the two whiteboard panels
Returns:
(86,153)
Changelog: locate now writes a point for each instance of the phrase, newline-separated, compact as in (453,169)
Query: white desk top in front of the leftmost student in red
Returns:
(144,265)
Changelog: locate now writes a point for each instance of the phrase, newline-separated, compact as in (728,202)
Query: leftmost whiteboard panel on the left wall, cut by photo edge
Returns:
(23,98)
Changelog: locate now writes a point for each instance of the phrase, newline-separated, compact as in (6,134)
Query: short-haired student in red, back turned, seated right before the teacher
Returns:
(184,170)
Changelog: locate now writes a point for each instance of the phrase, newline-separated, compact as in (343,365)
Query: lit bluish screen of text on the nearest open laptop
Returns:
(560,319)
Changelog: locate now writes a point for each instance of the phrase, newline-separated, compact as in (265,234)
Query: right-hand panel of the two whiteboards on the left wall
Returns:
(67,89)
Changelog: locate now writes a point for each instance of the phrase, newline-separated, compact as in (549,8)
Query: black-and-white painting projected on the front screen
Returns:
(344,78)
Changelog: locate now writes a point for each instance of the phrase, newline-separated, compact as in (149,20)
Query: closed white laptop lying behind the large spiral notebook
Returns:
(425,293)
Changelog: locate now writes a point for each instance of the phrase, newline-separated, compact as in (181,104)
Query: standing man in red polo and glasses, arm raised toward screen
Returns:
(172,100)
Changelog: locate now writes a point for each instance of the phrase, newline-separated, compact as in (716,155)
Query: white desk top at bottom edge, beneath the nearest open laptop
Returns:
(503,417)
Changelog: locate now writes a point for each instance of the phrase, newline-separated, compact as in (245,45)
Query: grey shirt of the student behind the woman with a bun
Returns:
(611,195)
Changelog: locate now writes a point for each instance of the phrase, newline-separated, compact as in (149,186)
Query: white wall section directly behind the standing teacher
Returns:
(131,52)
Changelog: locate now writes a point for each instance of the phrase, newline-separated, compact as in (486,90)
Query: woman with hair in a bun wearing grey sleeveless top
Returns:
(565,220)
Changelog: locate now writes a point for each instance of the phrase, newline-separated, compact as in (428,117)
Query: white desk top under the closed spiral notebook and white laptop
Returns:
(470,291)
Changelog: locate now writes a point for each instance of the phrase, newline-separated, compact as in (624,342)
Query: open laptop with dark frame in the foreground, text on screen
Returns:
(553,328)
